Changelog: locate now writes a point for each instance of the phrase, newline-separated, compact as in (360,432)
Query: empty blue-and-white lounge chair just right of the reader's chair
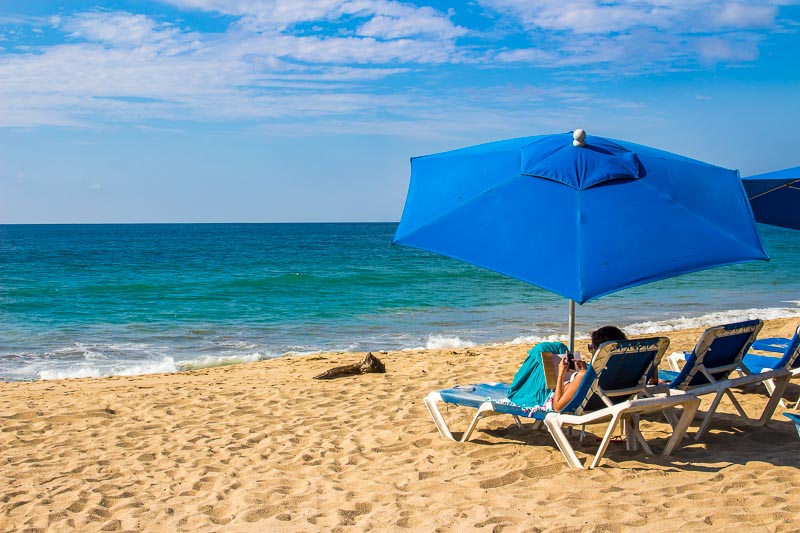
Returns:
(710,367)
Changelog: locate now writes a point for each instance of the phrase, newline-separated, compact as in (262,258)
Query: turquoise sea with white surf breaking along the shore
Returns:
(95,300)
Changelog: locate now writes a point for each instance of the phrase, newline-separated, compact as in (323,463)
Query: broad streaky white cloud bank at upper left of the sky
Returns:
(128,66)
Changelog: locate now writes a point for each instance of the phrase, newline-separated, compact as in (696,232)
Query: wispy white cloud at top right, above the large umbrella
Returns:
(653,34)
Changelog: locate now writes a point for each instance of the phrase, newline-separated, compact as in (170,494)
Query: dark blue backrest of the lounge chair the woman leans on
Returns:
(617,372)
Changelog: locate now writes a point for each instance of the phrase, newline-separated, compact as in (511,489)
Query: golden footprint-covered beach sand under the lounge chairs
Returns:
(264,447)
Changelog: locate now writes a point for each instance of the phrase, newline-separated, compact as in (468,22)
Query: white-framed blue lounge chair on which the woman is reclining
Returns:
(613,388)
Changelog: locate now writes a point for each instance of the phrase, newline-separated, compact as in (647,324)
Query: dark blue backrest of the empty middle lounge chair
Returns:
(718,352)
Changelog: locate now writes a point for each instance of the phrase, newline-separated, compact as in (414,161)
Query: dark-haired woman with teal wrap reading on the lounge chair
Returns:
(529,388)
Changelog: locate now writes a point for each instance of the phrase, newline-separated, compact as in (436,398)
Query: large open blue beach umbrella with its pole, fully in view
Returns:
(581,216)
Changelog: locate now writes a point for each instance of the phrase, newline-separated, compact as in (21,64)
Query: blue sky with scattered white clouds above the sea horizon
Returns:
(309,110)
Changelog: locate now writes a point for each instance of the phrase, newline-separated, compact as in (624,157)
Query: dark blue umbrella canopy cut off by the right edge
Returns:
(775,197)
